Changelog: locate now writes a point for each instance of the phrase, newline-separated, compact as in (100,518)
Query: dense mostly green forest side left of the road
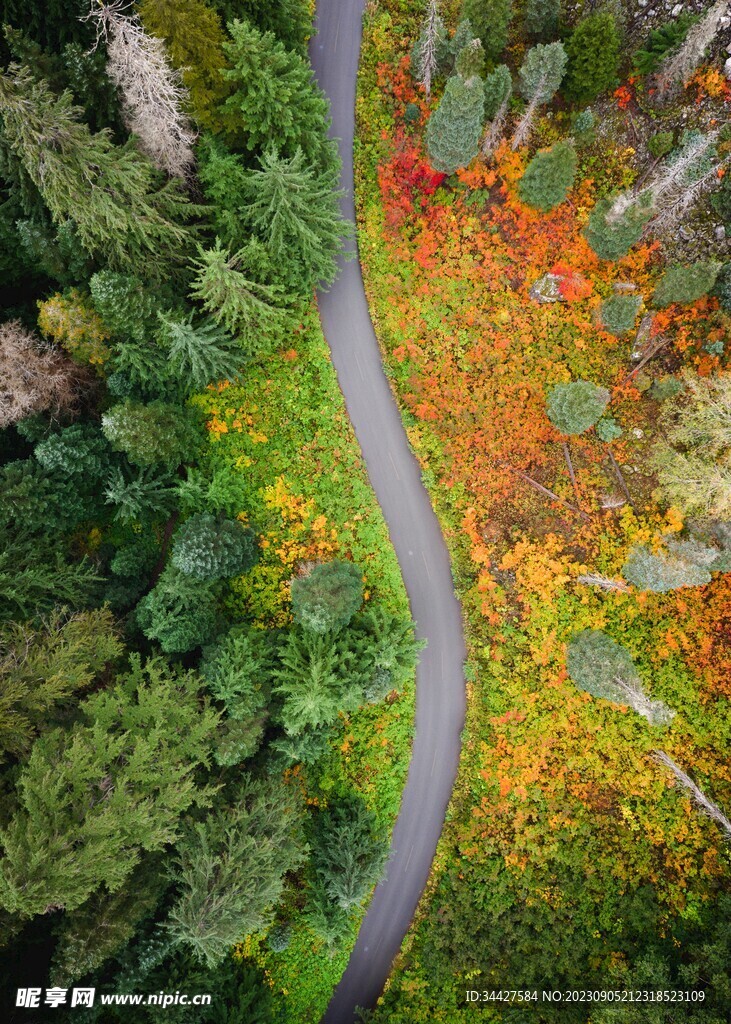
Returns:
(207,659)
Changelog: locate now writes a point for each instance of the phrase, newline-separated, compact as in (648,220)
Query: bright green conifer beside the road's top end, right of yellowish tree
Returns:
(274,98)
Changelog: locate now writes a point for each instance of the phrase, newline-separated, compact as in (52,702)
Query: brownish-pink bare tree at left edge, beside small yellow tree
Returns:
(35,377)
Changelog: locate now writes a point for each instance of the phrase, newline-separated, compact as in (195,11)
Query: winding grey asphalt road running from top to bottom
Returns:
(420,547)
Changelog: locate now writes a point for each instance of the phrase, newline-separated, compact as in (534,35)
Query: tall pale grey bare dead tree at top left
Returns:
(153,93)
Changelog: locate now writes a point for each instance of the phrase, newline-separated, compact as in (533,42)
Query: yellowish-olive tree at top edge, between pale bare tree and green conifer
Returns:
(195,40)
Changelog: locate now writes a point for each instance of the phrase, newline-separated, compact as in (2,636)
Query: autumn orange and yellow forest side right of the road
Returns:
(544,214)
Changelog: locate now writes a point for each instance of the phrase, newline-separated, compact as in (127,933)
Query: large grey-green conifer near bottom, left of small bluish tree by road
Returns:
(230,870)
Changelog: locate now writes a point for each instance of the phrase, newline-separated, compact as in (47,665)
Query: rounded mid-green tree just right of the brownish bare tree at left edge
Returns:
(153,435)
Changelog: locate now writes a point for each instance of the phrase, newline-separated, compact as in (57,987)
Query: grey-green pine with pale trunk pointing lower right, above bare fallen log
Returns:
(604,668)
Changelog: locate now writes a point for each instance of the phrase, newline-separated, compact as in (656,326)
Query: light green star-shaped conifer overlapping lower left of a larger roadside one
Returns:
(256,314)
